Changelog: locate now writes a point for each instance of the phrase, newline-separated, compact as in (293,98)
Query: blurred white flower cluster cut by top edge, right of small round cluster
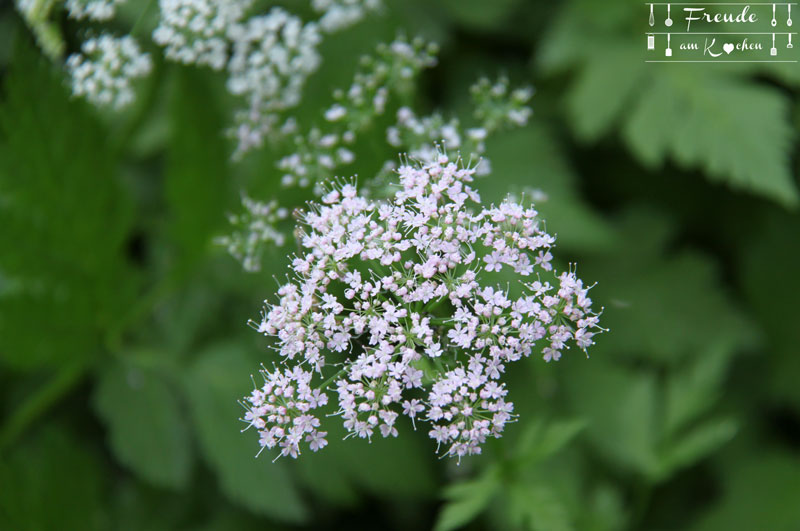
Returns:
(194,31)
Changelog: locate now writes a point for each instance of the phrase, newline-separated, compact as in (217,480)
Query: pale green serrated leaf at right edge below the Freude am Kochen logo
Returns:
(693,118)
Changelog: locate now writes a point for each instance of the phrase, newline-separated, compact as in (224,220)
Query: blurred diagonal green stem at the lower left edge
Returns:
(42,400)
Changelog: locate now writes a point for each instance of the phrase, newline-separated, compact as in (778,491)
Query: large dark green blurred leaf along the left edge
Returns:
(64,222)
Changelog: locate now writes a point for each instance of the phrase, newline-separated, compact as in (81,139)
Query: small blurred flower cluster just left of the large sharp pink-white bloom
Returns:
(254,228)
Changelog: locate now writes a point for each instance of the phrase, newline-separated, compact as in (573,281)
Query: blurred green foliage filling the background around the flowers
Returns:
(124,350)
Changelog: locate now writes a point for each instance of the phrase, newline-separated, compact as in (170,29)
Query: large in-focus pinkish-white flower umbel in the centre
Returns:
(399,295)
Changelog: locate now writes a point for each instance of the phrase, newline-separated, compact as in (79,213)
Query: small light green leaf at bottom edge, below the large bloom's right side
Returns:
(466,501)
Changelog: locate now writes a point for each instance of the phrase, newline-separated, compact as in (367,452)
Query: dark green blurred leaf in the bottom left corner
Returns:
(52,481)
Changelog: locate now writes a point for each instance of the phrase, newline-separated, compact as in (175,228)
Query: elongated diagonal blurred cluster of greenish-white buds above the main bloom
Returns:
(391,70)
